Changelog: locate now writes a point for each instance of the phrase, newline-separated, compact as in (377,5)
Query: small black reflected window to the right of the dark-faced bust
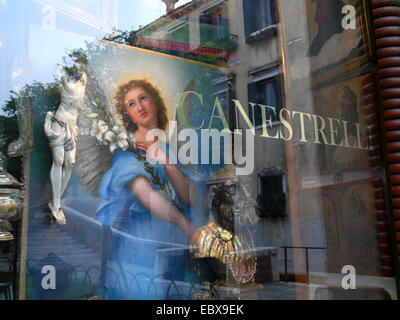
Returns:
(271,198)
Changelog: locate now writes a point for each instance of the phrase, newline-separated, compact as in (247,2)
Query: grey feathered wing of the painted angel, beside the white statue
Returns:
(93,160)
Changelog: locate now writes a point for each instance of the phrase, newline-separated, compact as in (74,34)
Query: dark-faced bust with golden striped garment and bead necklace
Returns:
(226,254)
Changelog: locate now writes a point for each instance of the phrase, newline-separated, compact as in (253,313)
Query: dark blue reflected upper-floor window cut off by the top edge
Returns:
(259,15)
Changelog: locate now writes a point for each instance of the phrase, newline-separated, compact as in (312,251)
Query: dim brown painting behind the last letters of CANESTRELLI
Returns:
(341,100)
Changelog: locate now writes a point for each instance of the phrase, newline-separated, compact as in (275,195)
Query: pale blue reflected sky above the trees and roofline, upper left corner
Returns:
(35,34)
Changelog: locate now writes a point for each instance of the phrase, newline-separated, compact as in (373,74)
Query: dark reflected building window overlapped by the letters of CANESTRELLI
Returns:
(267,92)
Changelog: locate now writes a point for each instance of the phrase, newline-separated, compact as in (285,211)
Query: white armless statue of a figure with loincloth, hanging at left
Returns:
(61,130)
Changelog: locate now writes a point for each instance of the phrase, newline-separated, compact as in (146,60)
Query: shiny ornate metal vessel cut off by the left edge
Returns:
(10,200)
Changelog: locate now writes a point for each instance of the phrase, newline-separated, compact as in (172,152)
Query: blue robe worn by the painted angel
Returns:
(142,247)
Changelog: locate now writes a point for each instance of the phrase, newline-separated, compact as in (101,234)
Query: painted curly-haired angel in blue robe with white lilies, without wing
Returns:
(145,199)
